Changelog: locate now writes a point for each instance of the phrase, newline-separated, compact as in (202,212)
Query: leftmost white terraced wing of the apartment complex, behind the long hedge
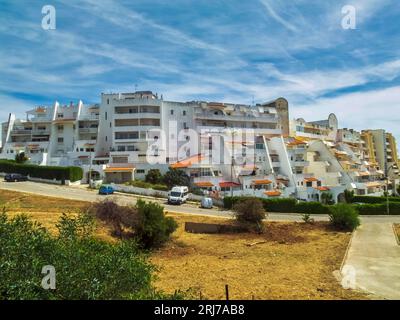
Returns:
(57,135)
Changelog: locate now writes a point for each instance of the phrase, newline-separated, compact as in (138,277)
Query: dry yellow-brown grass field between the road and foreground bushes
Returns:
(295,260)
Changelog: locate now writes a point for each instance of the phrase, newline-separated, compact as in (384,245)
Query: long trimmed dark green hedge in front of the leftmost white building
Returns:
(43,172)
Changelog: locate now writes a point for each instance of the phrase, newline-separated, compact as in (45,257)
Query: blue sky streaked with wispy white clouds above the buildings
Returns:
(233,51)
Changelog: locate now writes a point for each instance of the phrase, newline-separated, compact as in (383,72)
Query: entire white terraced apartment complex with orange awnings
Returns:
(225,148)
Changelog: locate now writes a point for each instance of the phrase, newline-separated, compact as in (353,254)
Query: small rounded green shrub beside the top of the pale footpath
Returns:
(344,216)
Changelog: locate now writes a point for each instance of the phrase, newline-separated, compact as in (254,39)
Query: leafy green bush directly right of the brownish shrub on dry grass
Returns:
(152,227)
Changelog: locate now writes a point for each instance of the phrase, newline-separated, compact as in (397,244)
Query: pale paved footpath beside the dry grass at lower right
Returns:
(375,255)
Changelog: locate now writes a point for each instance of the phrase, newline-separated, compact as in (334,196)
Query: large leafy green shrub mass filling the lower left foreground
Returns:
(86,267)
